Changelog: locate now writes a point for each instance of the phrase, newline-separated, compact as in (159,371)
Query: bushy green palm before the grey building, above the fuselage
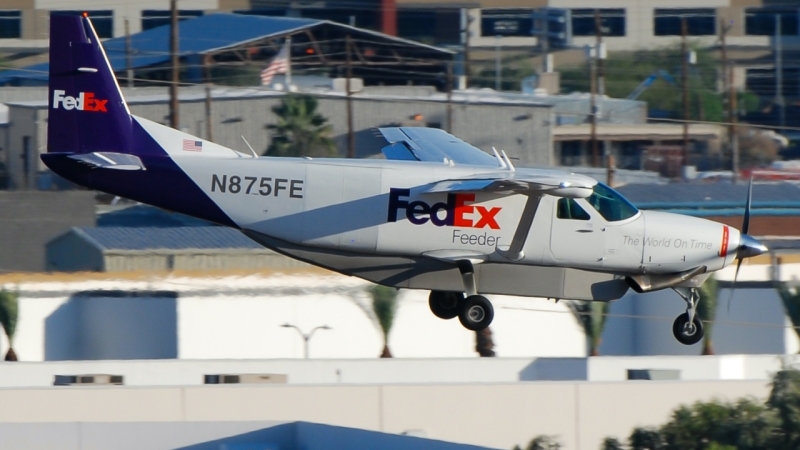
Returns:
(300,130)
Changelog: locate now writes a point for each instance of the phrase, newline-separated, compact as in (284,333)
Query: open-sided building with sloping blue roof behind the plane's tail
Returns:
(235,48)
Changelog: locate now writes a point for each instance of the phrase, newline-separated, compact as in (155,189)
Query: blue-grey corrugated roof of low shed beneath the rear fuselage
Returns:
(174,238)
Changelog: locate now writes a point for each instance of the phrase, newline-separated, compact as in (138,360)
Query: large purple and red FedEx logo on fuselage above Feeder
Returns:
(458,211)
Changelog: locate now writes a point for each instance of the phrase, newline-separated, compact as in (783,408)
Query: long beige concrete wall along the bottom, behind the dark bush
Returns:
(493,415)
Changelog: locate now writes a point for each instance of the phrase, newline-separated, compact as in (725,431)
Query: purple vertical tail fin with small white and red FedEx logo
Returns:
(86,110)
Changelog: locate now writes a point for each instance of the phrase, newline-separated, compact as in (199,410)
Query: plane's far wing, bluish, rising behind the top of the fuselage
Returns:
(433,145)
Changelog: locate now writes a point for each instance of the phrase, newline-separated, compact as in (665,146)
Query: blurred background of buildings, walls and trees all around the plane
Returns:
(126,325)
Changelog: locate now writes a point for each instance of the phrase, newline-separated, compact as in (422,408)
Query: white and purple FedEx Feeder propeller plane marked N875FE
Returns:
(436,214)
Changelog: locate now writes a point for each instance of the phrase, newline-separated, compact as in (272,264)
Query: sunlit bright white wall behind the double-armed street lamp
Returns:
(241,317)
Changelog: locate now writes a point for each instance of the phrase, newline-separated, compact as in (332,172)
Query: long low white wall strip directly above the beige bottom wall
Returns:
(171,372)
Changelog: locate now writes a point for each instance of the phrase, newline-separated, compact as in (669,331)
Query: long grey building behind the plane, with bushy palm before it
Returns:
(522,126)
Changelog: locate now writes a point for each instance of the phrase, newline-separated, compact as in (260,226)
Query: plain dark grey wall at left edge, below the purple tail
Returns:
(28,220)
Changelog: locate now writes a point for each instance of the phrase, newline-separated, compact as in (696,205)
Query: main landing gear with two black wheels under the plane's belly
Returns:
(475,312)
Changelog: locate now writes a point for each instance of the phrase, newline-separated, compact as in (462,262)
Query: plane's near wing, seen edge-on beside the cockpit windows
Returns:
(521,181)
